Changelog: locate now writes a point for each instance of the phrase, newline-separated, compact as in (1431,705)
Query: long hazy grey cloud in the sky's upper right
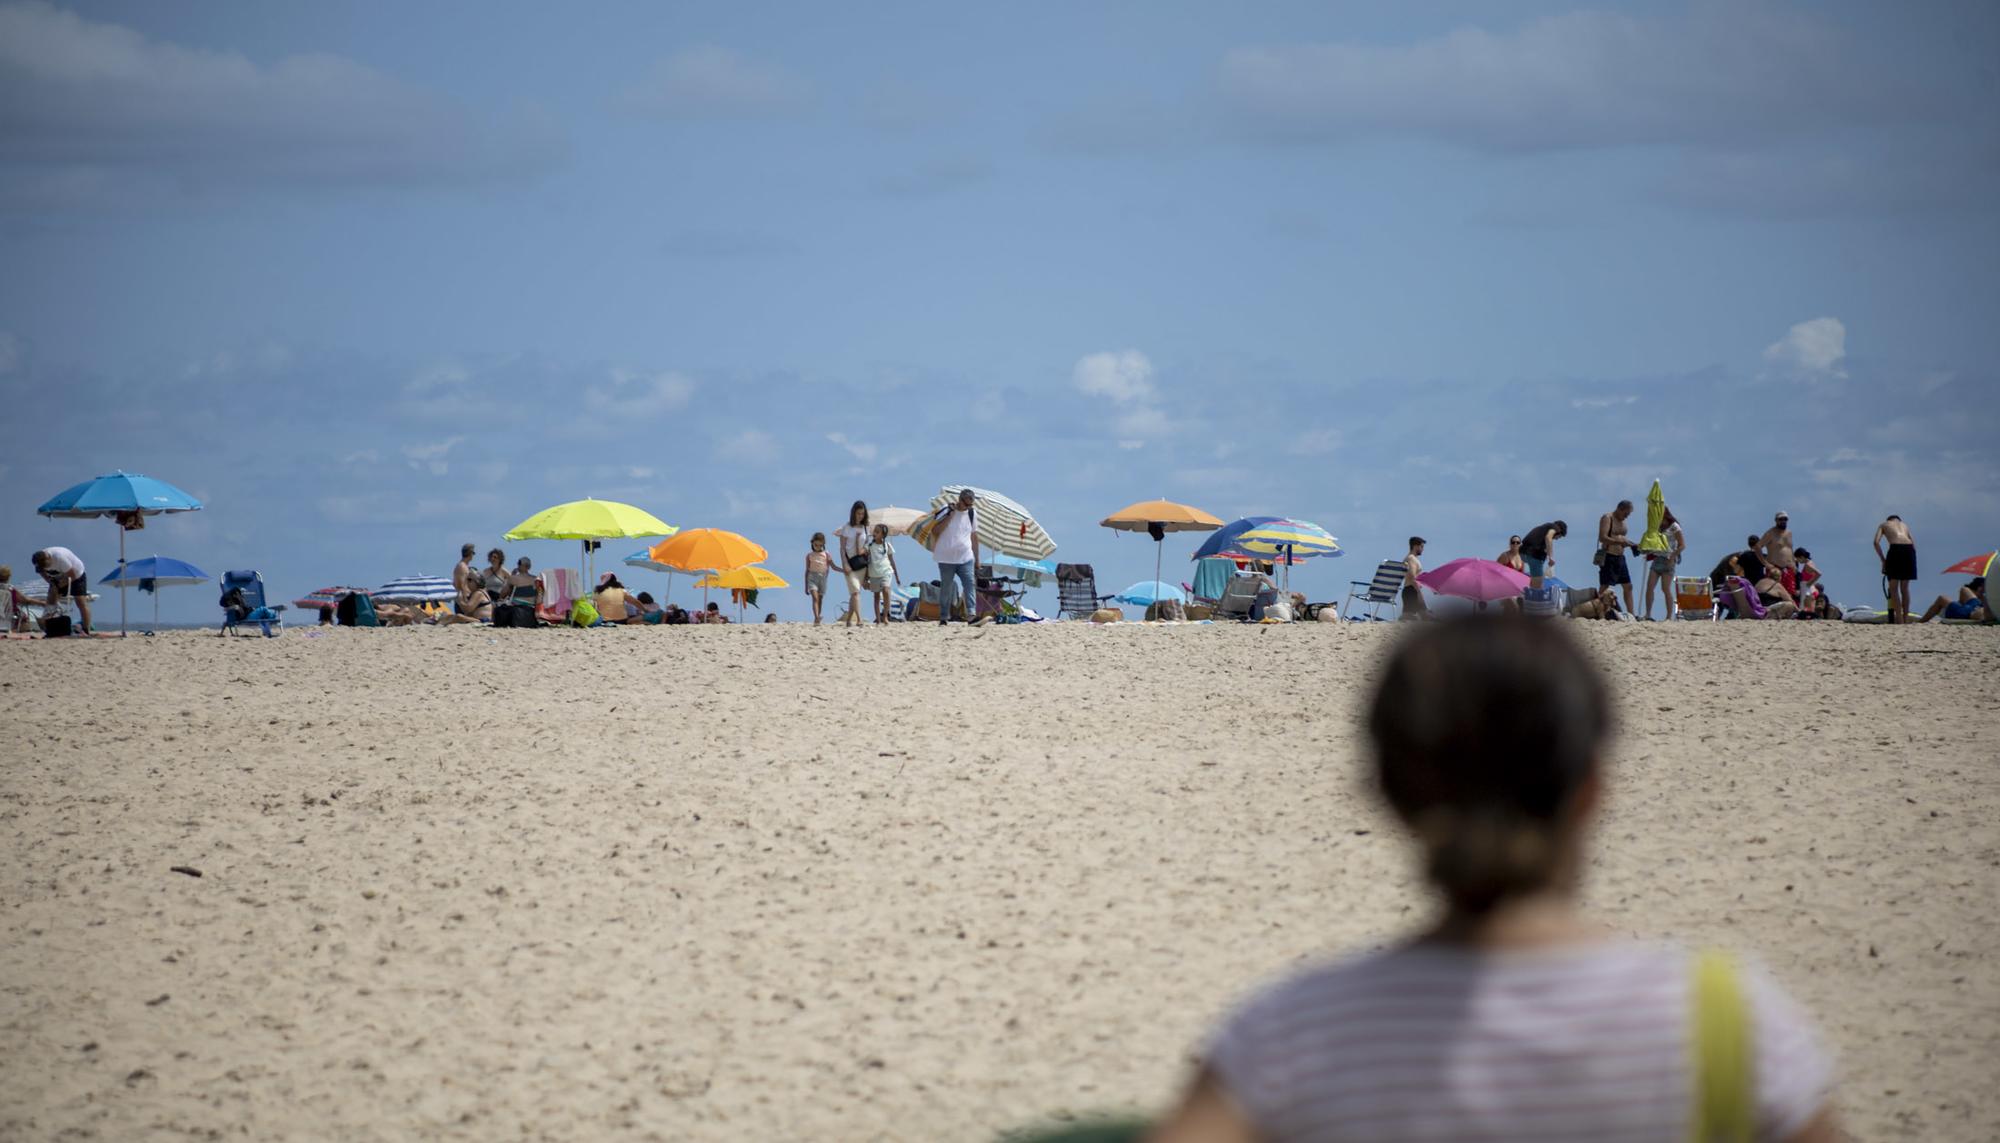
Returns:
(1583,79)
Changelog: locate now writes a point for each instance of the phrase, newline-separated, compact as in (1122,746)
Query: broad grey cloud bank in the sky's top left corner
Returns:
(83,97)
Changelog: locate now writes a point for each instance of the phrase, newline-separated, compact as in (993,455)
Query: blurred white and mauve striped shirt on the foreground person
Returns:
(1461,1044)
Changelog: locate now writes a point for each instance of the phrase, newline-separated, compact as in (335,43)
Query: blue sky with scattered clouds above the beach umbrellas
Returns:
(377,281)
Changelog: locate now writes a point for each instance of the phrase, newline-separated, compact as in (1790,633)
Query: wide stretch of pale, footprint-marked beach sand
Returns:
(889,884)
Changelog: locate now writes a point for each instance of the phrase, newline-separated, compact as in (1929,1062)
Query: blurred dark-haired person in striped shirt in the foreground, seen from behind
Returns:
(1511,1014)
